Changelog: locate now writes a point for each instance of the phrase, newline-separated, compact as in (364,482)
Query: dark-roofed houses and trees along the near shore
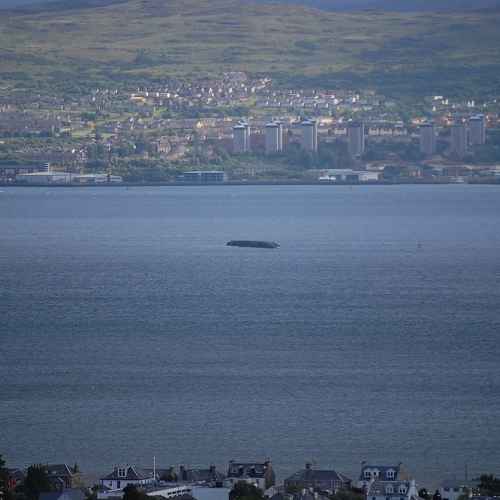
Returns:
(239,481)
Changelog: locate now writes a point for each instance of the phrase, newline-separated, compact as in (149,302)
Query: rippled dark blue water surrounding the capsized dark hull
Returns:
(128,329)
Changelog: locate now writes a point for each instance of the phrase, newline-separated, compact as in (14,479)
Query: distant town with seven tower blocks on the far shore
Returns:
(245,129)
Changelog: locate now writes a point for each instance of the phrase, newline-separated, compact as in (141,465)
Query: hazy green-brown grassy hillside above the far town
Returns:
(152,39)
